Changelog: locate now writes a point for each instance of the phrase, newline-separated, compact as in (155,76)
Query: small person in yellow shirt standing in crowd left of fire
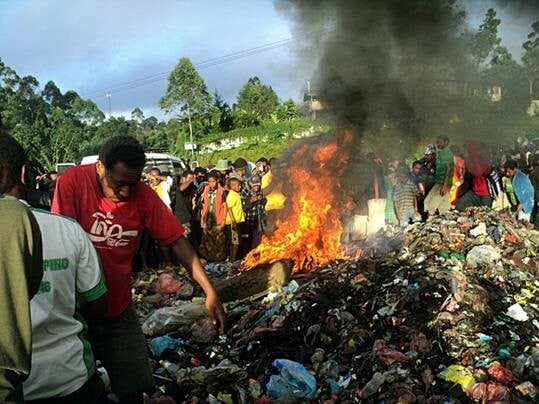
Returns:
(235,216)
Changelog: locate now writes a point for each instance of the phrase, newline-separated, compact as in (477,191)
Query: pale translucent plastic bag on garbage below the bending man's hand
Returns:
(167,319)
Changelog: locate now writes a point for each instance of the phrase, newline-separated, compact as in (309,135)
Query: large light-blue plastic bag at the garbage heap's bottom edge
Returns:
(294,382)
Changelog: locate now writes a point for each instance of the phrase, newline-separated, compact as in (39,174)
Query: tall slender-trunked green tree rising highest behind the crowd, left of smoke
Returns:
(186,94)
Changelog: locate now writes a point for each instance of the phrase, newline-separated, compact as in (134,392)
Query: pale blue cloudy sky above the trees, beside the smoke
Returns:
(92,45)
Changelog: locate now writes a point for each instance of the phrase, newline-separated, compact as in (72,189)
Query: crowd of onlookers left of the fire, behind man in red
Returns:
(223,208)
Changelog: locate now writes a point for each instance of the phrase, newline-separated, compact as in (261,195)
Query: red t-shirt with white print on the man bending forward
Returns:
(114,227)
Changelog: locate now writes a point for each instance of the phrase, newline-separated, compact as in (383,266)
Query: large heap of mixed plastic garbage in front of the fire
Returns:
(449,313)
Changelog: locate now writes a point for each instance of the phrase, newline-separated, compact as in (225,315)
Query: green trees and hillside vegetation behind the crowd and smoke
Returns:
(62,127)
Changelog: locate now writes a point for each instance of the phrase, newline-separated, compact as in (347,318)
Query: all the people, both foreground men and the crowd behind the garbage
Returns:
(66,275)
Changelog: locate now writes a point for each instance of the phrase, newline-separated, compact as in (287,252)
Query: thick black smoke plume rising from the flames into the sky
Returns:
(394,71)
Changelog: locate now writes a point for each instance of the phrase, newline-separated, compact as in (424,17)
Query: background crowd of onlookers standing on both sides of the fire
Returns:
(228,206)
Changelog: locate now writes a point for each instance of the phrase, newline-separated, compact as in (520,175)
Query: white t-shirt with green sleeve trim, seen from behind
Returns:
(62,359)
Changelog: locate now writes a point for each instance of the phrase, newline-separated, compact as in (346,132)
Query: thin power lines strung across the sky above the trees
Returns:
(129,85)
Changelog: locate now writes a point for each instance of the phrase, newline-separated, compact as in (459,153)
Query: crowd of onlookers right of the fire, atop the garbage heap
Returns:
(447,177)
